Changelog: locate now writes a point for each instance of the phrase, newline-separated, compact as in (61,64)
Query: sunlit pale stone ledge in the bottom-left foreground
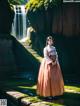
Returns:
(22,99)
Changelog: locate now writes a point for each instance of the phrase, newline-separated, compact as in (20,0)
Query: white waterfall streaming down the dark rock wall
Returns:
(19,25)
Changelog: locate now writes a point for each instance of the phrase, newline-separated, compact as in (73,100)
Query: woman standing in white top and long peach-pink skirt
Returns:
(50,80)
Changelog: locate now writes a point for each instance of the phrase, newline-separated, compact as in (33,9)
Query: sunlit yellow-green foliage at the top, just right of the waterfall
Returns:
(35,5)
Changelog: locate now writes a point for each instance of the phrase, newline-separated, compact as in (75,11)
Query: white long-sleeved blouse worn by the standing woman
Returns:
(51,50)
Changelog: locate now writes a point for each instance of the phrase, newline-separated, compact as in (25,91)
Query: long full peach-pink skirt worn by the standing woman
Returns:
(50,80)
